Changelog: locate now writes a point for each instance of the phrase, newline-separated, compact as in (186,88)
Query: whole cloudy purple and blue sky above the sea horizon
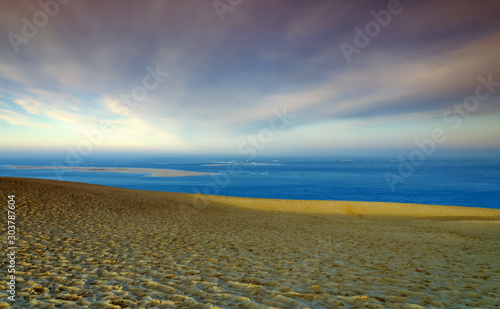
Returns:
(249,76)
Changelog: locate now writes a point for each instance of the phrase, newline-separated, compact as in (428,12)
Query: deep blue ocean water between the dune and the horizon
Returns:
(474,183)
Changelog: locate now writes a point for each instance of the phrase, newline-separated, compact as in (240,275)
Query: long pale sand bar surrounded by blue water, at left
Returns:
(155,172)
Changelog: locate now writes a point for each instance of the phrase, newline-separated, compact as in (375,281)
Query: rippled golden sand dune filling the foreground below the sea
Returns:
(89,246)
